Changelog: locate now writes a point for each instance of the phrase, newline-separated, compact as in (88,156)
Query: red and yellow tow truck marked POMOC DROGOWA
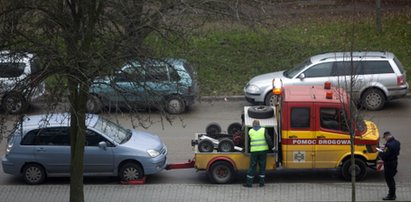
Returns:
(311,127)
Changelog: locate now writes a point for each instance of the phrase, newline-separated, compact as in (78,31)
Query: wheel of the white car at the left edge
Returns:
(14,103)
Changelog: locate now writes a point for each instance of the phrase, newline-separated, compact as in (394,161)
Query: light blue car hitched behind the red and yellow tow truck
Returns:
(40,147)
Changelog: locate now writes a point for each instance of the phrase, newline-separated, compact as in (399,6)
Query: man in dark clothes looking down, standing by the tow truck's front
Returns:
(390,157)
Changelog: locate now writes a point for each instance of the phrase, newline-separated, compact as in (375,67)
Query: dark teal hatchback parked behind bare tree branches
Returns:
(165,84)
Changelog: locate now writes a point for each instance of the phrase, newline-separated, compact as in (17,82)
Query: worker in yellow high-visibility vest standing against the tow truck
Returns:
(258,154)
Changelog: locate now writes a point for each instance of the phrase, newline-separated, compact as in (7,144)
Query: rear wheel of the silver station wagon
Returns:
(373,99)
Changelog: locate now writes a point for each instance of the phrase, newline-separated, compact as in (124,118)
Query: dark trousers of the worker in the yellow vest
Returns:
(259,158)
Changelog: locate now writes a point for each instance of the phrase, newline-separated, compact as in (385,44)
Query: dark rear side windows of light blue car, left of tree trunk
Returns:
(47,136)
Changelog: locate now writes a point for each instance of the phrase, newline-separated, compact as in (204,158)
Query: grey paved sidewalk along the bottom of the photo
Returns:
(206,192)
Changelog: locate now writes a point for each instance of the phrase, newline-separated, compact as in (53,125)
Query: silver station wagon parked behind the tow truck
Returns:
(377,77)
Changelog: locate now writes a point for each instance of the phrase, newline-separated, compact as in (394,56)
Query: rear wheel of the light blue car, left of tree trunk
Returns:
(33,174)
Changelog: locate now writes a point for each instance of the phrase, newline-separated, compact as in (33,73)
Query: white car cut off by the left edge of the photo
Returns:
(17,74)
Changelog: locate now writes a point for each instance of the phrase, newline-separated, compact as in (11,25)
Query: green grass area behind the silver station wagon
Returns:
(226,57)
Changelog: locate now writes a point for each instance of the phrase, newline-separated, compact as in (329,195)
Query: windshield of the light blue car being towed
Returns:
(117,133)
